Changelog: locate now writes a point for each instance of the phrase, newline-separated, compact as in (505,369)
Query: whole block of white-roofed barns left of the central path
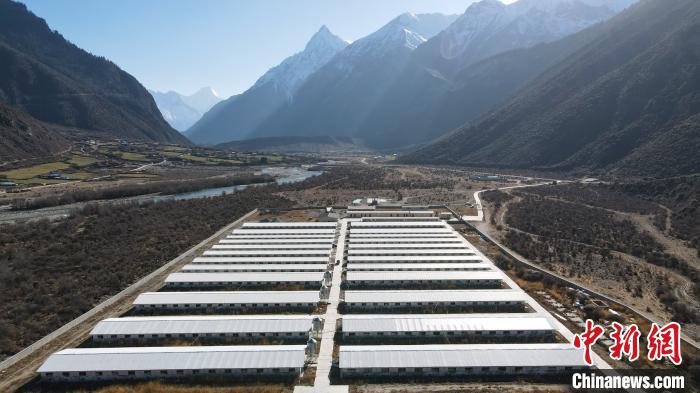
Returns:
(273,258)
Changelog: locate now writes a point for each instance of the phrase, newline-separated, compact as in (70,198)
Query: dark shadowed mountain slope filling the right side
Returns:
(627,102)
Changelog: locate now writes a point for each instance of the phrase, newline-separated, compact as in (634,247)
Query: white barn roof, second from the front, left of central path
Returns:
(204,324)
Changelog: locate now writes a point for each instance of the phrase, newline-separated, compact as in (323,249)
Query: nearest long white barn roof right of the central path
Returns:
(460,355)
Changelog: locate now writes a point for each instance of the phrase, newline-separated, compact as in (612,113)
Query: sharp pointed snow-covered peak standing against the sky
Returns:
(291,73)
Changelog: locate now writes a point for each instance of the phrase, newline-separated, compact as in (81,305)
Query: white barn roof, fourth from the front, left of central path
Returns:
(243,277)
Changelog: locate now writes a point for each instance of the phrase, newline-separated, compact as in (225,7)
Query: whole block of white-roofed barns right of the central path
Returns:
(412,285)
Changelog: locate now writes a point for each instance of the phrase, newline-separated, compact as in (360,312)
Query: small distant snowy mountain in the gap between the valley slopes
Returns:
(181,111)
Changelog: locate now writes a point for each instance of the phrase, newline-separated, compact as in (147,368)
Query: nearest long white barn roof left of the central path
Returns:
(175,358)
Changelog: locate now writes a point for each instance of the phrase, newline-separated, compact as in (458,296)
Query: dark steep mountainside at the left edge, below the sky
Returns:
(55,81)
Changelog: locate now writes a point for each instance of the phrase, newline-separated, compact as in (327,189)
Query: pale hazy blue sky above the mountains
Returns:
(183,45)
